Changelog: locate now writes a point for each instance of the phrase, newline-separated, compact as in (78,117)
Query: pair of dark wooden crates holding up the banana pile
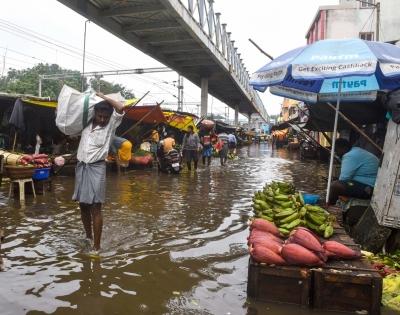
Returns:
(346,286)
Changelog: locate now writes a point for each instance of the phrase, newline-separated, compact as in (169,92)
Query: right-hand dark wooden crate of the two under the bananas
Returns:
(347,286)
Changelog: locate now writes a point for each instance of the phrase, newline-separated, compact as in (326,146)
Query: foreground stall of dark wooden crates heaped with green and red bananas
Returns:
(300,254)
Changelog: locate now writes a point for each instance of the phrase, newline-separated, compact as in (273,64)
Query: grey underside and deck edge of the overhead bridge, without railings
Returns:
(164,30)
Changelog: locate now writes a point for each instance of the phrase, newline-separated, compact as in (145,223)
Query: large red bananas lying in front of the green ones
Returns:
(301,248)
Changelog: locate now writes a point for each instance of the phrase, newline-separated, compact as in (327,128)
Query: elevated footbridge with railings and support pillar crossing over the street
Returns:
(188,38)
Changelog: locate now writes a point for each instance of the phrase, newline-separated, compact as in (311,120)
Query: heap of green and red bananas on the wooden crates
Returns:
(286,231)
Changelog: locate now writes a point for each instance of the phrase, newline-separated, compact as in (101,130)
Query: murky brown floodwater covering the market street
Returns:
(172,244)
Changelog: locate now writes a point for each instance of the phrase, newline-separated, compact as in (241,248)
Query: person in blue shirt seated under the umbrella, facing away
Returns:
(358,172)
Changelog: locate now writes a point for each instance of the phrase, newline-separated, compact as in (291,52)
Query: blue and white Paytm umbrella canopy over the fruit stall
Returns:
(312,73)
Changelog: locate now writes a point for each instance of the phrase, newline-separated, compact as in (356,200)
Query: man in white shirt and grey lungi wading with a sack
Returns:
(90,173)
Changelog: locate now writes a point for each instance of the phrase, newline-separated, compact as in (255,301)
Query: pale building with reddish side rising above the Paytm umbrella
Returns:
(357,19)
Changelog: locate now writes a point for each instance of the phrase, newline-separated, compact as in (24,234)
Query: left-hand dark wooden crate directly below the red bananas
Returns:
(279,284)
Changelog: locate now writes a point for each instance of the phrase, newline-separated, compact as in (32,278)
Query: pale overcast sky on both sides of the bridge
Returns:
(276,26)
